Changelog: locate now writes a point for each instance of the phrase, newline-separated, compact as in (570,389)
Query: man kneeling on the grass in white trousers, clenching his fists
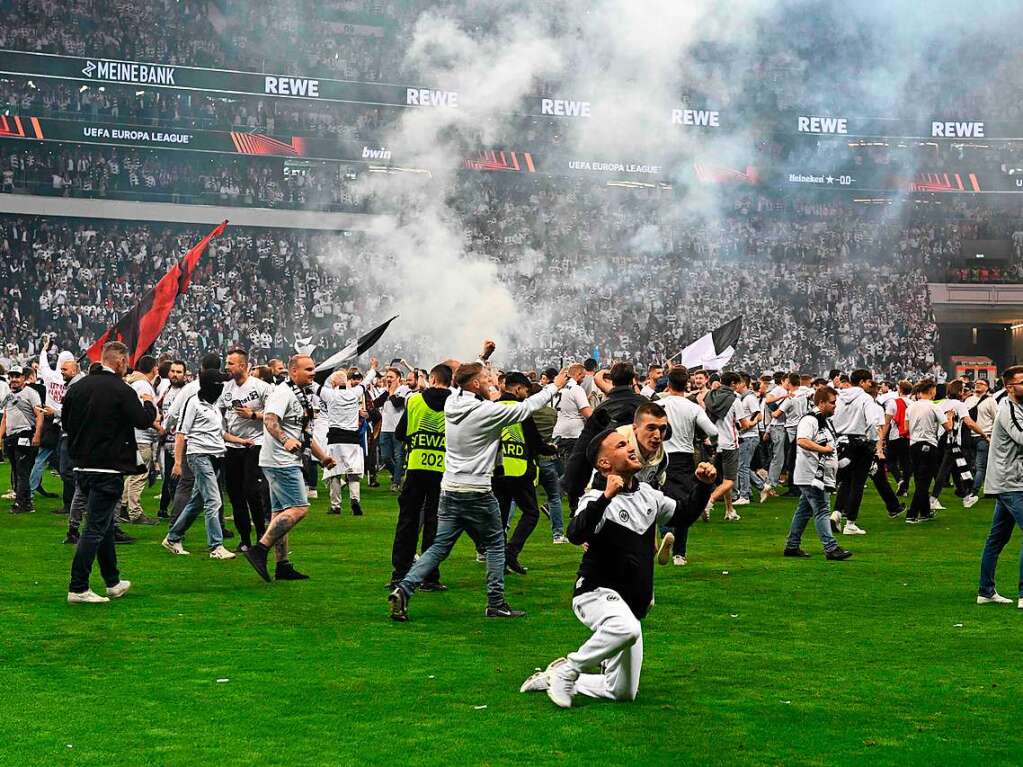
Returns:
(616,577)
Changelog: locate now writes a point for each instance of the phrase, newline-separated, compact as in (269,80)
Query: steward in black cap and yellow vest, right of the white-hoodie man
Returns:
(515,480)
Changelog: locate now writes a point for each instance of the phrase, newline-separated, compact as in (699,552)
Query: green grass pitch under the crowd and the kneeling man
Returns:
(750,658)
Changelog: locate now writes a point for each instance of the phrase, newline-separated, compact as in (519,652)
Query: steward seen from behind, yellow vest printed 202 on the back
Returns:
(422,429)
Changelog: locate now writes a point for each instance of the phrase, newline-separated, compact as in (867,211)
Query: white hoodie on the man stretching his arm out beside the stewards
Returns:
(473,436)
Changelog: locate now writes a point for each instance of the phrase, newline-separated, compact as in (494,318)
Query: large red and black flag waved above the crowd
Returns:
(140,329)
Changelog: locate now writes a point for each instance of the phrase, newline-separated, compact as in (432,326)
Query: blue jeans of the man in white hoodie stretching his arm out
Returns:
(478,513)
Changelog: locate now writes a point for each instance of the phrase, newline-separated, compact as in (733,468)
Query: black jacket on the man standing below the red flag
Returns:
(101,416)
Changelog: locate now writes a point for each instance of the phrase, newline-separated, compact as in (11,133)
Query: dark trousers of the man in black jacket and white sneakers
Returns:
(104,498)
